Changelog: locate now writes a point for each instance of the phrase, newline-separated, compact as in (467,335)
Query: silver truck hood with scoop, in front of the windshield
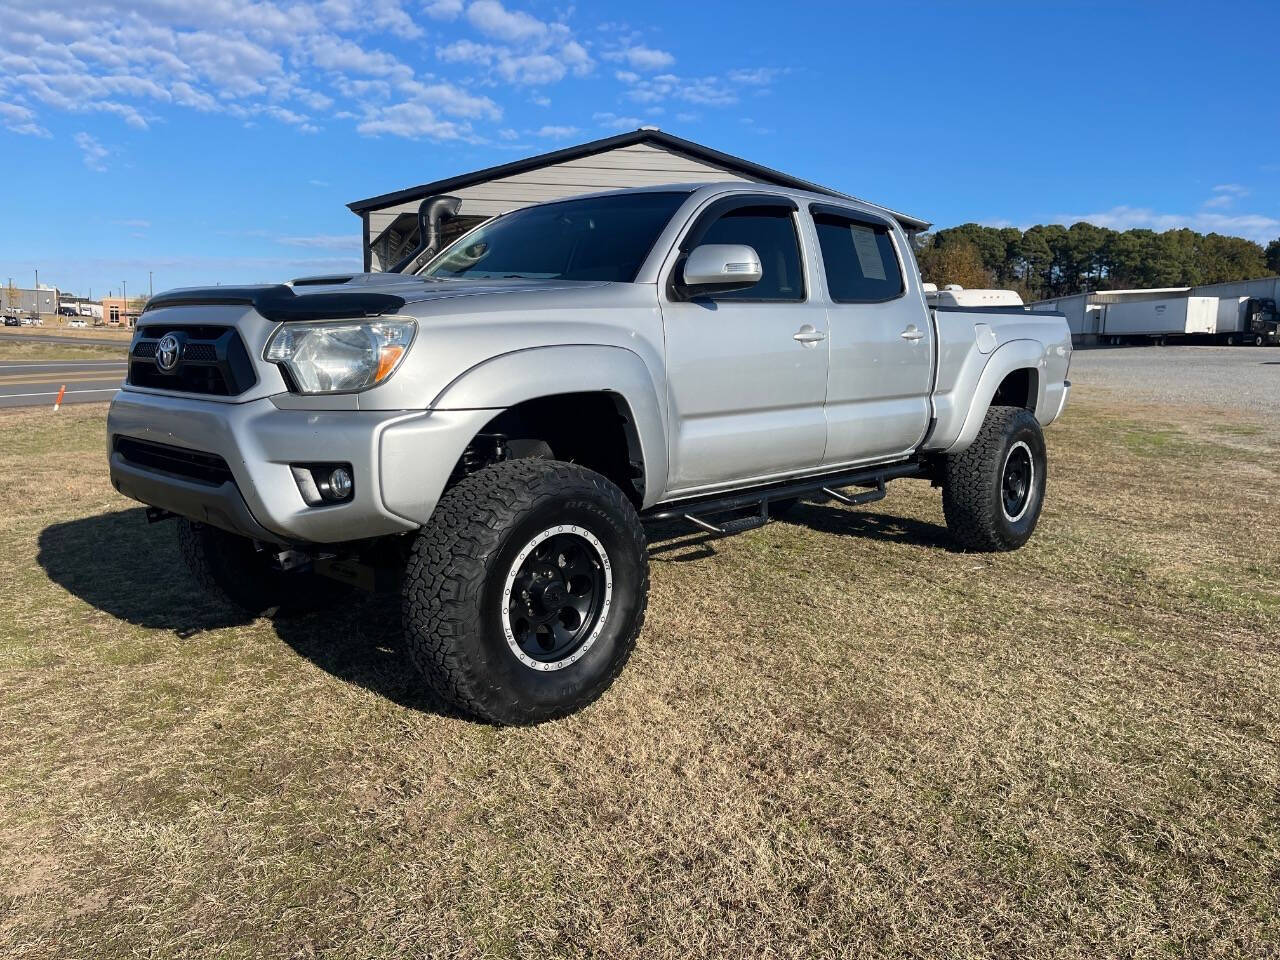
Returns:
(349,295)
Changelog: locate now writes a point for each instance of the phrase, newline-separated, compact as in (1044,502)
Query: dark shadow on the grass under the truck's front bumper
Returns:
(131,570)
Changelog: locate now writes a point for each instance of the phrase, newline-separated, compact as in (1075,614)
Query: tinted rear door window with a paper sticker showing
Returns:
(860,259)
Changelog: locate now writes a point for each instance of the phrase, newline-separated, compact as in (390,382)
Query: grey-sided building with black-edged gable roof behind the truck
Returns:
(643,158)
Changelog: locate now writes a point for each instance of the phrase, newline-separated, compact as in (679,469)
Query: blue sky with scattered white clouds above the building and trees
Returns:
(220,141)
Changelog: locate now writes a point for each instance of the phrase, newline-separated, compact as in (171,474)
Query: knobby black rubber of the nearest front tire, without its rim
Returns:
(454,607)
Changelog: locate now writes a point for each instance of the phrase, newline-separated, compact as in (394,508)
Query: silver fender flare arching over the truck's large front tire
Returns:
(508,380)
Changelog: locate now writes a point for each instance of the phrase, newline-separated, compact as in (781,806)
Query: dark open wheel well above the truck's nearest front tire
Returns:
(595,431)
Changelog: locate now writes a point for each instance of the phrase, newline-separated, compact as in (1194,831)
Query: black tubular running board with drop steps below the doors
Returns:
(697,510)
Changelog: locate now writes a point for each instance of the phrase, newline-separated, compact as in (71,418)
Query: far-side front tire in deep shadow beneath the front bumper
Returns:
(231,568)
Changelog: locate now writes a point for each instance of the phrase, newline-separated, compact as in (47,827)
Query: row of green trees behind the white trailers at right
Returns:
(1053,260)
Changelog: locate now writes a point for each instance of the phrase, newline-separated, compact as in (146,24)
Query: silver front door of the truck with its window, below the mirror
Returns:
(747,372)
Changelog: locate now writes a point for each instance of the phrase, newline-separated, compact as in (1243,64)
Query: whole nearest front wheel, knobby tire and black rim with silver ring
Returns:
(527,591)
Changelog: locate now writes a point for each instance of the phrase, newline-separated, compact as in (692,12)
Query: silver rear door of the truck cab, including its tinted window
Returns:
(881,340)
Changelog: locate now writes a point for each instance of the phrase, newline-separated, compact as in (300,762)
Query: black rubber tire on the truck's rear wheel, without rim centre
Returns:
(973,483)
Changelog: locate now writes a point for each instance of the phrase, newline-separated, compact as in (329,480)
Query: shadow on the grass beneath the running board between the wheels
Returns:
(675,542)
